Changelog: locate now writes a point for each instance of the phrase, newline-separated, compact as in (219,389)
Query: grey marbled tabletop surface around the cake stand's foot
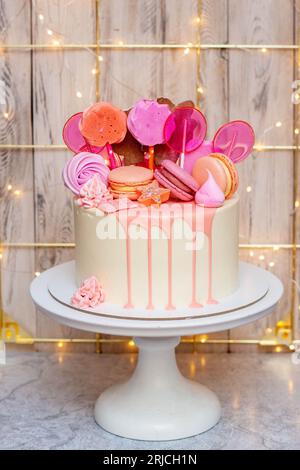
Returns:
(46,401)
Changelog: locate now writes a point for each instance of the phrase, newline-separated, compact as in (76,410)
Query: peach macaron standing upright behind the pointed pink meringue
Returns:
(221,168)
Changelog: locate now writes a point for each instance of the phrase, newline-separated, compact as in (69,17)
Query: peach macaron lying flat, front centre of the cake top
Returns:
(126,181)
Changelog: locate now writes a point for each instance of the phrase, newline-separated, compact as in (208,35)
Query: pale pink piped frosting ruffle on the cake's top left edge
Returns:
(93,193)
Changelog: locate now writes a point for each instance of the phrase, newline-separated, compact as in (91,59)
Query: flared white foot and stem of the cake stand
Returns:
(157,402)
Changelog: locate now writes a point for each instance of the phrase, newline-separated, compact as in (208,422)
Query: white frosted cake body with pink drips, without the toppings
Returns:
(146,266)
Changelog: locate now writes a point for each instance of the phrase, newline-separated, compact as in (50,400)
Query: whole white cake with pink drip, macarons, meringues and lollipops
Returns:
(156,238)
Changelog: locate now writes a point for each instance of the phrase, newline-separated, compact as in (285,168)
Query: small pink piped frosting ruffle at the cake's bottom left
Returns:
(89,294)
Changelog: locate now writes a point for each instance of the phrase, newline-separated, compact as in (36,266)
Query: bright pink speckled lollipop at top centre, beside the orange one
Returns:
(146,123)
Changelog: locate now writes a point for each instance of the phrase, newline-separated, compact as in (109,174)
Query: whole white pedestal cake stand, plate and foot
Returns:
(157,402)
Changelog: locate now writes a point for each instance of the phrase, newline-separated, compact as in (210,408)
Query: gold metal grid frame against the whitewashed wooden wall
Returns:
(198,47)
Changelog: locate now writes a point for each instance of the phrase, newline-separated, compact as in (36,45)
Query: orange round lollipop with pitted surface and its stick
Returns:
(103,125)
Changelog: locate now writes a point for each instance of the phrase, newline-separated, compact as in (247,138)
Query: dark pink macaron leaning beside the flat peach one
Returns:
(181,184)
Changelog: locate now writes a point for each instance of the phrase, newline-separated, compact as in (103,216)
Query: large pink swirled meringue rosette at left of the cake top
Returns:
(81,168)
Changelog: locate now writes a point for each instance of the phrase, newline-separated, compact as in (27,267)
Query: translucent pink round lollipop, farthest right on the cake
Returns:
(235,139)
